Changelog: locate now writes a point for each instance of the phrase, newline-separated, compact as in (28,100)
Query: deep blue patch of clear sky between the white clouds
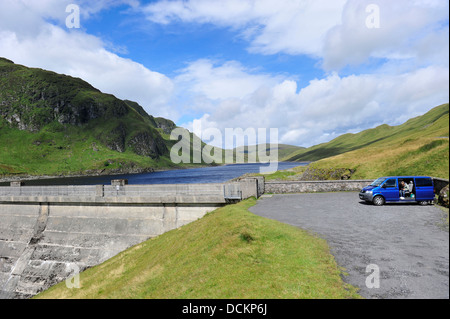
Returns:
(167,48)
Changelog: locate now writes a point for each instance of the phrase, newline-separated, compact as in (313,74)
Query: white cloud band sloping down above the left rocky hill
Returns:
(26,38)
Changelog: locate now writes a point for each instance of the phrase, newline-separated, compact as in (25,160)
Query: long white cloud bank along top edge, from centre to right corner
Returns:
(334,31)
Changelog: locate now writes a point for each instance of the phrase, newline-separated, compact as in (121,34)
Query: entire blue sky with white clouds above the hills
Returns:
(313,69)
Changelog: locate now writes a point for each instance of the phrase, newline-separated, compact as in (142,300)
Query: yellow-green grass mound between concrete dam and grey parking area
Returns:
(229,253)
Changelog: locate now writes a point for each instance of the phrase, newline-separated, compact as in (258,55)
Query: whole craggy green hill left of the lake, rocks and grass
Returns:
(53,124)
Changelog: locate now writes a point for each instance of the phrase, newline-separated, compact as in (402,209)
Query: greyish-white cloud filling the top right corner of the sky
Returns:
(408,30)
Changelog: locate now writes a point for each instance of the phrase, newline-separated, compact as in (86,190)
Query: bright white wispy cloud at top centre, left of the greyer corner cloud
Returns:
(292,26)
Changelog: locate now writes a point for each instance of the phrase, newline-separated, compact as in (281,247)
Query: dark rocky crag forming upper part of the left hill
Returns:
(33,98)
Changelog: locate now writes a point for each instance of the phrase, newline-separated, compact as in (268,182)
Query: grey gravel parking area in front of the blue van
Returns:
(402,247)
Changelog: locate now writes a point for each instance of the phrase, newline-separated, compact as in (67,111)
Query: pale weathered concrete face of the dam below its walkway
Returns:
(41,243)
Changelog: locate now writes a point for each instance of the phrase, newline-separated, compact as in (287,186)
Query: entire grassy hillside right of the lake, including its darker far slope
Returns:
(418,147)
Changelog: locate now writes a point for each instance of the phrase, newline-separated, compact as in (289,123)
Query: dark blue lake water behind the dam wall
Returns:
(217,174)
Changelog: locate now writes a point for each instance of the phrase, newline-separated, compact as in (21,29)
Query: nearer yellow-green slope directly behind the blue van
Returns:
(419,147)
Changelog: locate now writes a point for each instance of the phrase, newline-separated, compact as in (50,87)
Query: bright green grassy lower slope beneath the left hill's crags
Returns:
(72,151)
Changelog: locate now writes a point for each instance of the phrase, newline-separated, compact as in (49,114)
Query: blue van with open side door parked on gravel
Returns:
(420,189)
